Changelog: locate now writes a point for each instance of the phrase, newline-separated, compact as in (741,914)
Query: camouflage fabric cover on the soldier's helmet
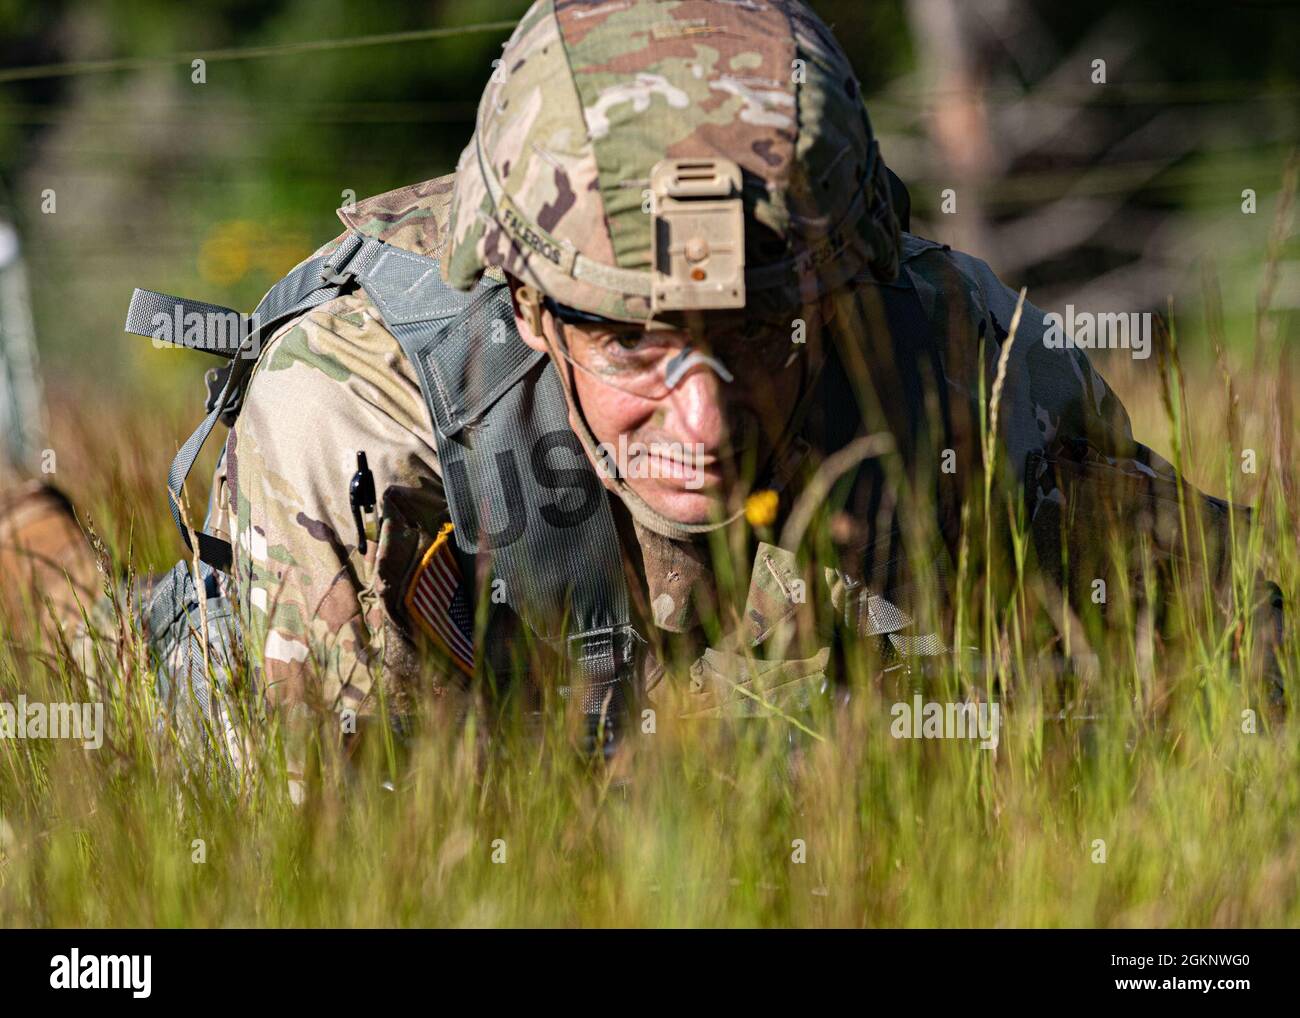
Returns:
(588,102)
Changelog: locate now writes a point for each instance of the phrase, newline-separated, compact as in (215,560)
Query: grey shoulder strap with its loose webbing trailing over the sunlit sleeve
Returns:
(515,474)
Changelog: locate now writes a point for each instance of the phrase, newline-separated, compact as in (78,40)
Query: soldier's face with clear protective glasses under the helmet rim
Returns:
(692,449)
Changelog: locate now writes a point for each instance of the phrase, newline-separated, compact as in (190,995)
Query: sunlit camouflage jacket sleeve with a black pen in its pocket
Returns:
(328,621)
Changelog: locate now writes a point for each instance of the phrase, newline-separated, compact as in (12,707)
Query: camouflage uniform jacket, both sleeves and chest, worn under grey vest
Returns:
(328,625)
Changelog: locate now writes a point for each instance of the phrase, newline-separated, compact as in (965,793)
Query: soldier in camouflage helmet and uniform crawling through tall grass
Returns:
(671,227)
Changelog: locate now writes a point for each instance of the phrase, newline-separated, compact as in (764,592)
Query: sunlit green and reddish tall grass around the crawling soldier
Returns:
(1155,809)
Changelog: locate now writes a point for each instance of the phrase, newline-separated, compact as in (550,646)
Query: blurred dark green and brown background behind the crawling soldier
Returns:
(120,171)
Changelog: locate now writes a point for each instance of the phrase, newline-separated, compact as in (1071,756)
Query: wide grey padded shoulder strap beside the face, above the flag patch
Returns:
(518,482)
